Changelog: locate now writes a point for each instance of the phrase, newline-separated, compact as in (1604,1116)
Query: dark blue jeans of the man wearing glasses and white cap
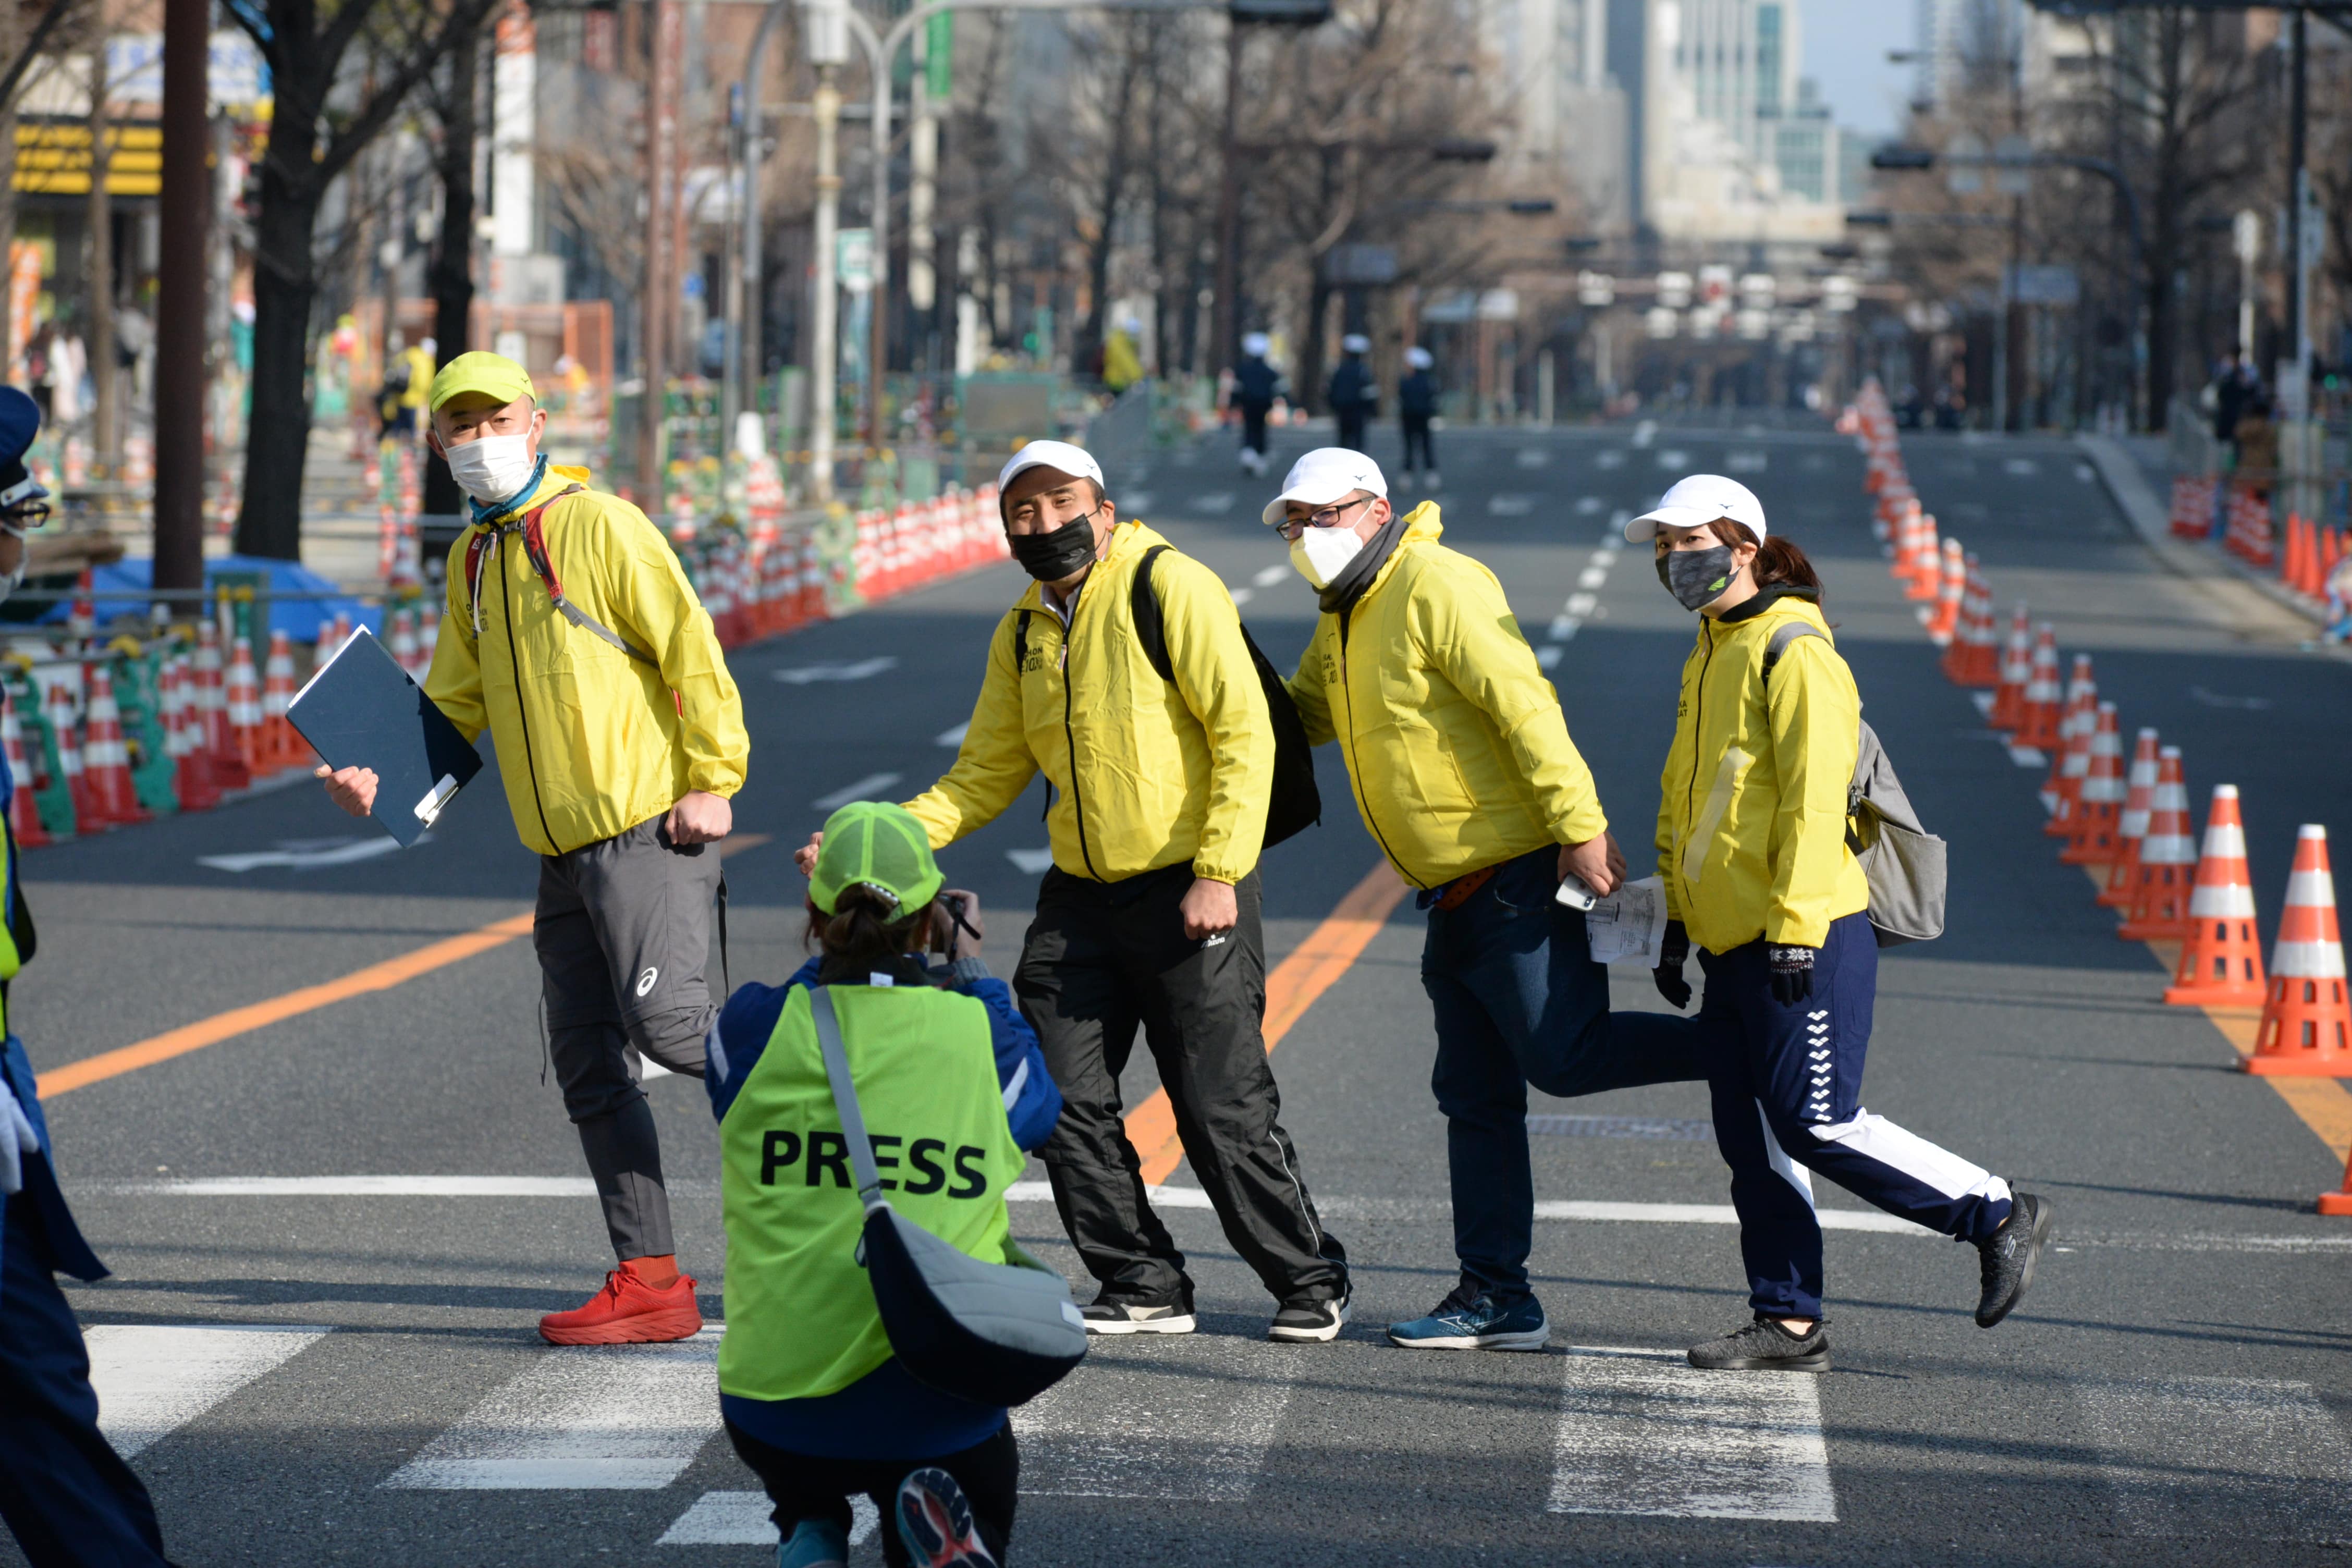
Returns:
(1521,1003)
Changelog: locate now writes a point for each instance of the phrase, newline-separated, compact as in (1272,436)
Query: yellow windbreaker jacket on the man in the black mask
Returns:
(1144,772)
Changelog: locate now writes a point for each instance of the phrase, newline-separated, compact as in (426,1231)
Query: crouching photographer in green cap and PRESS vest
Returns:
(954,1090)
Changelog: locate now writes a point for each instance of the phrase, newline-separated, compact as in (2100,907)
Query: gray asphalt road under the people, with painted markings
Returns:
(342,1376)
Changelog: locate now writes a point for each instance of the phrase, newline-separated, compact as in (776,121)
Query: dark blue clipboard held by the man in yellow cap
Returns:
(363,711)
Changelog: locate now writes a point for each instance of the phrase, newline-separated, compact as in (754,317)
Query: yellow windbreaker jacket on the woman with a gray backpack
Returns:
(1753,798)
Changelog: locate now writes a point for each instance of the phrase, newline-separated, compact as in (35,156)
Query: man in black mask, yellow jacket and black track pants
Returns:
(1151,909)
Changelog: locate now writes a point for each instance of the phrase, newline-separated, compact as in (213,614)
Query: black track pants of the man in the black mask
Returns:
(1104,960)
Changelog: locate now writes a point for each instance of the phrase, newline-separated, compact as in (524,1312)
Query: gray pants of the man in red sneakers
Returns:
(624,934)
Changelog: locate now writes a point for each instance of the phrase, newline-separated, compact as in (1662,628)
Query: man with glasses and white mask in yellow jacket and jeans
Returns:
(1464,772)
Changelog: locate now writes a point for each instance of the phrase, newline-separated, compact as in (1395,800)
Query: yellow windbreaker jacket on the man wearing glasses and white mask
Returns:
(1455,742)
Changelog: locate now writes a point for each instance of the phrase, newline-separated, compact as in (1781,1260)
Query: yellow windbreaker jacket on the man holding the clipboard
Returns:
(592,742)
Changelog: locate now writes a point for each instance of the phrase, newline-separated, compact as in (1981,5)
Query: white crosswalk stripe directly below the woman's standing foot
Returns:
(1641,1433)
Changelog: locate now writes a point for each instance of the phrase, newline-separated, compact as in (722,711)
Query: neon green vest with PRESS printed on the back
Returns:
(801,1313)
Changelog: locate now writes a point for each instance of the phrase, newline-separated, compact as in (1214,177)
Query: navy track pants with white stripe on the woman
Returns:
(1789,1087)
